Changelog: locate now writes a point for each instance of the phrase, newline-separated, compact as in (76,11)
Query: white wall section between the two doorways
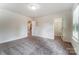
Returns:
(44,27)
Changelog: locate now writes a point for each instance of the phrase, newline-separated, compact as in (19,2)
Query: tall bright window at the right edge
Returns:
(75,23)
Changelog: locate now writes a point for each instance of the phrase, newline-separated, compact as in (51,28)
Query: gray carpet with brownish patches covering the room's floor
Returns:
(33,46)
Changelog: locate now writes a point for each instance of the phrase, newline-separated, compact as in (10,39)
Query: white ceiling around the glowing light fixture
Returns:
(45,8)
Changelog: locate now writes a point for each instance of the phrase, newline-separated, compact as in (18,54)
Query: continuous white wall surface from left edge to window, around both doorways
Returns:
(43,26)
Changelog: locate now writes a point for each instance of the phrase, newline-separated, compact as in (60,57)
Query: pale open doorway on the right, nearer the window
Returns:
(58,27)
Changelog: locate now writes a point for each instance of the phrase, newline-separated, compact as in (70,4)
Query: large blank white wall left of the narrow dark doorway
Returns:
(11,26)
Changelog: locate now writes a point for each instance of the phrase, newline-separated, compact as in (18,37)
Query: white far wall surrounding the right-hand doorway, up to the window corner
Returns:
(45,25)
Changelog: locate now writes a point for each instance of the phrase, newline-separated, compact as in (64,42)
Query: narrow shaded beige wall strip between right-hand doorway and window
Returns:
(67,26)
